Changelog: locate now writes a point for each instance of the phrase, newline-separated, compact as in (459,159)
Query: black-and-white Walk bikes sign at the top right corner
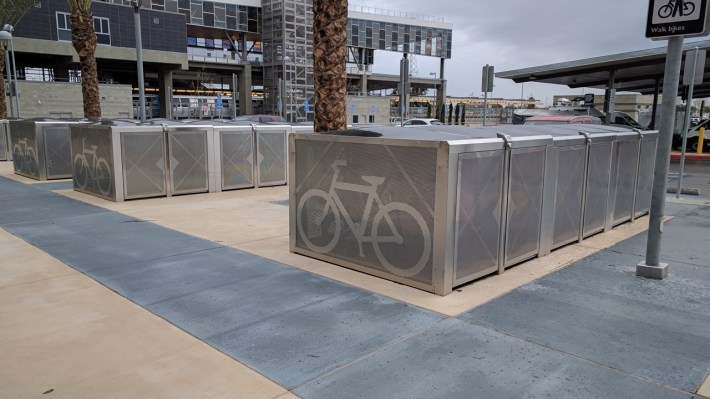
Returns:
(668,18)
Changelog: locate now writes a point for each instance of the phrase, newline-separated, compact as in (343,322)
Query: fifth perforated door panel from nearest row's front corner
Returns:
(627,153)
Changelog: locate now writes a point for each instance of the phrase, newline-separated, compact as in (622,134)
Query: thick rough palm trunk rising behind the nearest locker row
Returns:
(330,22)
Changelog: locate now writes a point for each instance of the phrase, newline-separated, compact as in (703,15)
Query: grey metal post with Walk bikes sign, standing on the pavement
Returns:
(667,20)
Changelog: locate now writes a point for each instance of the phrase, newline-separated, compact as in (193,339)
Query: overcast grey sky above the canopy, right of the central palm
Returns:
(515,34)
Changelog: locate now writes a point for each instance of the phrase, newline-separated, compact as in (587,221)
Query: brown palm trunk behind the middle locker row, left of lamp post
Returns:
(84,42)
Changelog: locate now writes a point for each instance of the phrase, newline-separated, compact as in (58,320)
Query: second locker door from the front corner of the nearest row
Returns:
(523,194)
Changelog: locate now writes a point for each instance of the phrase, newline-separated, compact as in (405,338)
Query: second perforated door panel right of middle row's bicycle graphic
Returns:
(188,161)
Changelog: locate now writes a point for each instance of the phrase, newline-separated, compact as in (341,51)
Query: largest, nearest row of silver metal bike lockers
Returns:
(437,207)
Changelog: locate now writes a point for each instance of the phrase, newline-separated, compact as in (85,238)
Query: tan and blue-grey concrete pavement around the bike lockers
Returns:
(198,296)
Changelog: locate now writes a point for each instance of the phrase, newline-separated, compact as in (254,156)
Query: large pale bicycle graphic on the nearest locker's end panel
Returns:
(325,209)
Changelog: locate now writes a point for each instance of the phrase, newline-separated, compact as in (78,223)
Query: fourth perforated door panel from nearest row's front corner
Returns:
(597,194)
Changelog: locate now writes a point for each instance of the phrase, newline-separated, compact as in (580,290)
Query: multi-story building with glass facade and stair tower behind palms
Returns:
(259,48)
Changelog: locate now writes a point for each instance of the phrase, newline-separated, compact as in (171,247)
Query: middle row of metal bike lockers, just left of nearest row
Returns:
(121,159)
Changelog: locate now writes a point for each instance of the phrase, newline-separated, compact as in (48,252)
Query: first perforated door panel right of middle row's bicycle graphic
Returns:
(143,158)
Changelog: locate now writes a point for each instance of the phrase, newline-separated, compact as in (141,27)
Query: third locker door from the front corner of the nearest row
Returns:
(565,169)
